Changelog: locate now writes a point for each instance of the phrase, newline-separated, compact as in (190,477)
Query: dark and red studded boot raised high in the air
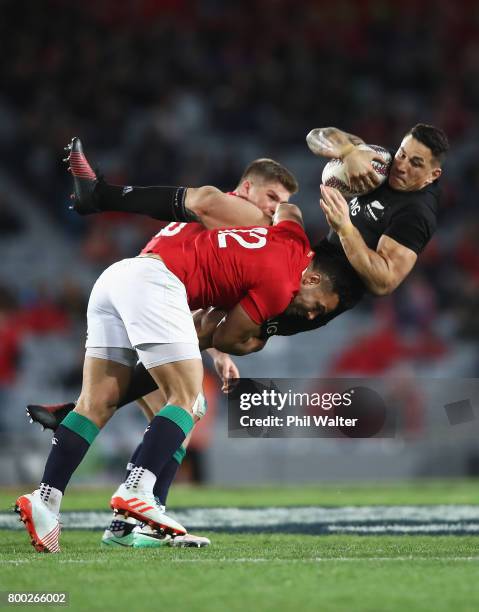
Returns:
(84,179)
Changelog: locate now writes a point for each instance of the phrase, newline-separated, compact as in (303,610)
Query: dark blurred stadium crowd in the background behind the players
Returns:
(187,92)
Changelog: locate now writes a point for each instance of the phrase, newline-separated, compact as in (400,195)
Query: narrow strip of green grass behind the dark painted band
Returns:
(323,494)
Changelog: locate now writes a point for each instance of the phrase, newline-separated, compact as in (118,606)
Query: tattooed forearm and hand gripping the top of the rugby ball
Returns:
(334,143)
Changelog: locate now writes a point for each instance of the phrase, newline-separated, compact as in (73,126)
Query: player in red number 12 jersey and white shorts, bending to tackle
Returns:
(141,306)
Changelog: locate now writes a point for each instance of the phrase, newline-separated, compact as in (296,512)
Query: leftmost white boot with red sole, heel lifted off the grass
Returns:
(42,524)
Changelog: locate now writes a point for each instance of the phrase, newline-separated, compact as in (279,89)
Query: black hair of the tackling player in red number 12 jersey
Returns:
(344,280)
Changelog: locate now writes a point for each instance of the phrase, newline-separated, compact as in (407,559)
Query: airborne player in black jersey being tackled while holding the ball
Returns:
(380,233)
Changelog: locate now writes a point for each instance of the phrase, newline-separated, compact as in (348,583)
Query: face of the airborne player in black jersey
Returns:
(413,166)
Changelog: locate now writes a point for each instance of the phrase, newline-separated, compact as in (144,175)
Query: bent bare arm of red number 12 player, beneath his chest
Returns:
(237,334)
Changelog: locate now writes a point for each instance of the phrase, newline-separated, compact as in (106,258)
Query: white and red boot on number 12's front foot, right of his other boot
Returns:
(143,506)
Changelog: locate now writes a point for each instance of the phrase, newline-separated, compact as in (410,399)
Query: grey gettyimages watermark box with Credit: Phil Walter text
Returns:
(339,408)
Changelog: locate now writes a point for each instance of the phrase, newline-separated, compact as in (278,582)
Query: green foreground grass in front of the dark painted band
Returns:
(253,572)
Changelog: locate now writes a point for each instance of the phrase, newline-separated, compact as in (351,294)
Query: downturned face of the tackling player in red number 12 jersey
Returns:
(314,298)
